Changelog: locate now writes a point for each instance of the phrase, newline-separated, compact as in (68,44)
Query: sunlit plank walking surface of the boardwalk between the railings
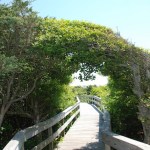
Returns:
(85,133)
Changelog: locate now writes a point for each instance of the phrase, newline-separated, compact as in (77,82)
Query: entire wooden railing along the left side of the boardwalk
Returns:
(17,142)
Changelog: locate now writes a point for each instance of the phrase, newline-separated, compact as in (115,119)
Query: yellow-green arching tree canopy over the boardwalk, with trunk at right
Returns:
(91,48)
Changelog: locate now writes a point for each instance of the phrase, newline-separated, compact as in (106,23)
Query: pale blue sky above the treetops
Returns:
(129,17)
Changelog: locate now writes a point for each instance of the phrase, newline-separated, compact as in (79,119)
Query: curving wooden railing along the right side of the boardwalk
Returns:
(111,139)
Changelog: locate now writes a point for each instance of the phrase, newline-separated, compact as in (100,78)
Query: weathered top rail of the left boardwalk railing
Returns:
(17,142)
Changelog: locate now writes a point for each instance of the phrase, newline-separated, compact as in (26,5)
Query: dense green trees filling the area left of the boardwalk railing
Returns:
(33,83)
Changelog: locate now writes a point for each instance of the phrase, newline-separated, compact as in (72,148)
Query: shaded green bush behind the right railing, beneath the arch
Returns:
(122,104)
